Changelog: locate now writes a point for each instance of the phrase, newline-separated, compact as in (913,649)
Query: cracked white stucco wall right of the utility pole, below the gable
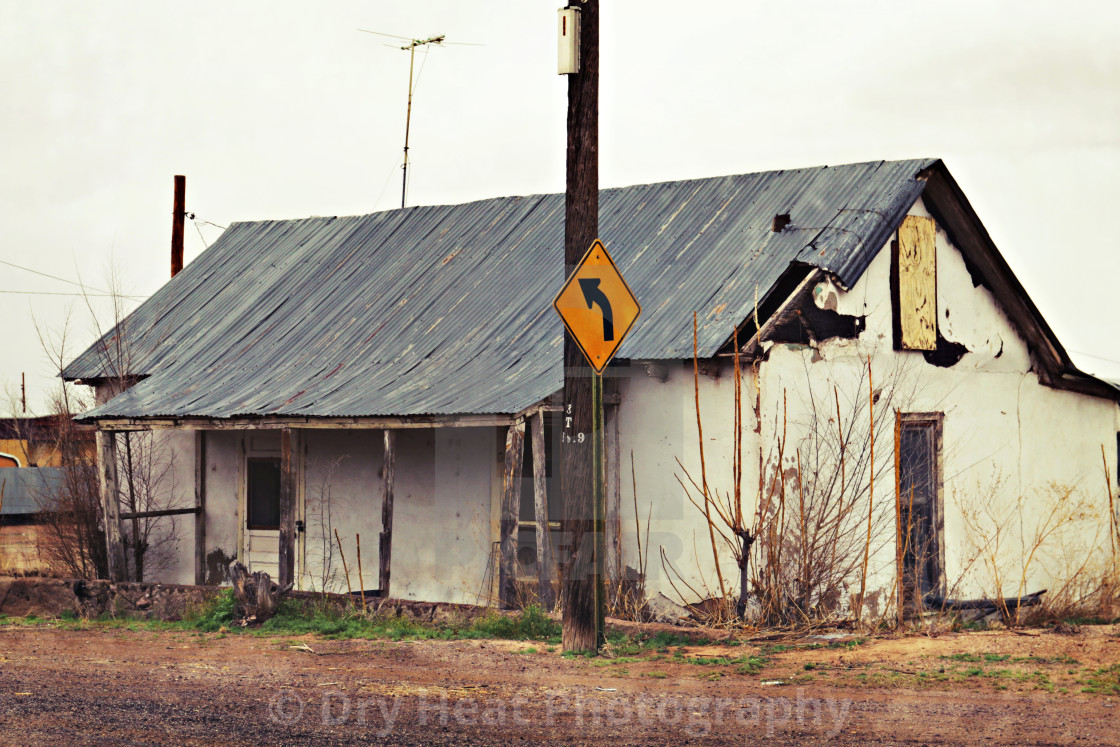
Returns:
(1011,446)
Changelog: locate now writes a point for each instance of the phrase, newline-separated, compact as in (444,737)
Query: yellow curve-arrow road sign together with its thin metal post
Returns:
(599,310)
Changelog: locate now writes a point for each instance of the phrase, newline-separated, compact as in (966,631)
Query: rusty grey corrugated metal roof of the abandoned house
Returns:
(447,310)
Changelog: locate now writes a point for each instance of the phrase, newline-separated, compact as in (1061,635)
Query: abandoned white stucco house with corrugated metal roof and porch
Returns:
(875,388)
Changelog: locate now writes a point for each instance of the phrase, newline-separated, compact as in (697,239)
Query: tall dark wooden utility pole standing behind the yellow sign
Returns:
(583,587)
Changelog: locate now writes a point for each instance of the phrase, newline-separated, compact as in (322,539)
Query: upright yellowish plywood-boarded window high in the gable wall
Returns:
(914,285)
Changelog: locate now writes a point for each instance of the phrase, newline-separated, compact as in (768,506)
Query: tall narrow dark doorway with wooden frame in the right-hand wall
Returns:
(919,475)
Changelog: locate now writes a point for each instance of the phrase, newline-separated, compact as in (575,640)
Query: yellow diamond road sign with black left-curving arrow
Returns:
(598,306)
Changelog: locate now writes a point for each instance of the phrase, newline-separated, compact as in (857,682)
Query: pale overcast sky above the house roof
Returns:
(281,110)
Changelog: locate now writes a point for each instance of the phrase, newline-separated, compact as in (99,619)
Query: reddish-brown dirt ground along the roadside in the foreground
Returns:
(122,687)
